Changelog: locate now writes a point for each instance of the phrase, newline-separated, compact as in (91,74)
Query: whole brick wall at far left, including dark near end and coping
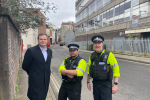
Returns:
(9,56)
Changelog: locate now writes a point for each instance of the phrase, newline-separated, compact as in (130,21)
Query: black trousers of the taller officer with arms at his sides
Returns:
(102,90)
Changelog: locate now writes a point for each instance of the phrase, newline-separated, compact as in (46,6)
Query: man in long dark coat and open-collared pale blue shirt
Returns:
(36,63)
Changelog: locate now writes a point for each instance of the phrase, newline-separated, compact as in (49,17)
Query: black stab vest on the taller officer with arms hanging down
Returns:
(99,69)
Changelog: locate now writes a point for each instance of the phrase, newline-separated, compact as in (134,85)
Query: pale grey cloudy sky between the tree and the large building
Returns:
(65,13)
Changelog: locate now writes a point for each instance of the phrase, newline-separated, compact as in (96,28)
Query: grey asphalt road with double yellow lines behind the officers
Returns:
(134,83)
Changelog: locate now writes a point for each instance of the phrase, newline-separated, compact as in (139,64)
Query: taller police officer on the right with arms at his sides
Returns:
(103,66)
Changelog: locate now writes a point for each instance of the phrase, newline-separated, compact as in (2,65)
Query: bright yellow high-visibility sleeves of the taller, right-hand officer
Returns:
(111,61)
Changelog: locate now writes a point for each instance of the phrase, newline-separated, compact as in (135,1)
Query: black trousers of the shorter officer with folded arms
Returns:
(70,90)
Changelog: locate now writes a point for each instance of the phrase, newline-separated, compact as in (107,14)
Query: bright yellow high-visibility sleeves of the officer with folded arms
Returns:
(80,68)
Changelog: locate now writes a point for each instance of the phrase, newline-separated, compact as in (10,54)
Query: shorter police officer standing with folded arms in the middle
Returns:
(72,70)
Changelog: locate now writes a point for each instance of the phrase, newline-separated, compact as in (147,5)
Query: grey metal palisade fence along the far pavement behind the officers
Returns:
(134,46)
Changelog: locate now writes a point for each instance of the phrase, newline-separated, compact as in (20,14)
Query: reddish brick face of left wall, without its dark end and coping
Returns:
(13,57)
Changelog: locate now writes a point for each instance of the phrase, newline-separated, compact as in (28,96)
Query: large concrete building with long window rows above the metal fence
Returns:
(111,18)
